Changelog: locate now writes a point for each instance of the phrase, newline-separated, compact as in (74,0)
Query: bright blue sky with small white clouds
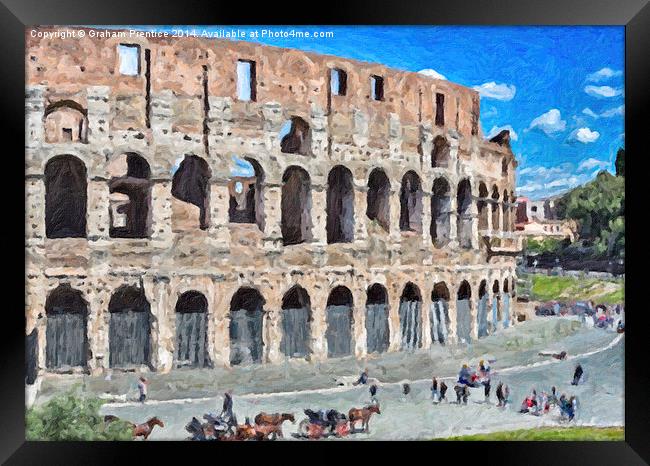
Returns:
(559,89)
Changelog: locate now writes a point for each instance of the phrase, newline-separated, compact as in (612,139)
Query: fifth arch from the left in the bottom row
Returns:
(296,323)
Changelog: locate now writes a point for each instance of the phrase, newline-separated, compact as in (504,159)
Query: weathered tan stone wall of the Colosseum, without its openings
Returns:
(395,134)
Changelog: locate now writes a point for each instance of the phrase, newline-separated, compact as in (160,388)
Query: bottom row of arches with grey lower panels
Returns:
(130,322)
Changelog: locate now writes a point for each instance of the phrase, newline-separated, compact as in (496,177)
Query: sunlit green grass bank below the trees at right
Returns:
(546,288)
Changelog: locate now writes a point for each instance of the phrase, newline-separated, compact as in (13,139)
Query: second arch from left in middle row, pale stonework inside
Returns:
(130,200)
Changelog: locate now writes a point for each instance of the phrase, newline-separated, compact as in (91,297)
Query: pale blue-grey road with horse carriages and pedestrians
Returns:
(601,395)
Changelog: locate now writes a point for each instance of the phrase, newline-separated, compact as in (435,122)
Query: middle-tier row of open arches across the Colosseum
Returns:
(130,202)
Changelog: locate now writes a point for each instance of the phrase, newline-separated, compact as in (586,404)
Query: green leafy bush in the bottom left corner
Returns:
(73,417)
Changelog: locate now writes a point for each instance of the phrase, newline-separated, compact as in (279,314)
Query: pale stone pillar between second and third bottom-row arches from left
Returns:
(163,334)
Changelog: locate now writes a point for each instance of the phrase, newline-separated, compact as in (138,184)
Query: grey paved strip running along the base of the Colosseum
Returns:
(510,347)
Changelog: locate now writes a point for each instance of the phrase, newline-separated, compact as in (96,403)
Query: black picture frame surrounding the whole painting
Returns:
(16,15)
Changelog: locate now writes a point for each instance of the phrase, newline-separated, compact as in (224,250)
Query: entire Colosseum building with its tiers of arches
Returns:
(198,202)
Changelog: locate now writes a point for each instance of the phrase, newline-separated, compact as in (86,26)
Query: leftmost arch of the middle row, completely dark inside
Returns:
(65,197)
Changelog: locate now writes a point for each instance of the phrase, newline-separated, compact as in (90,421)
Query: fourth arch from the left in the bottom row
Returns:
(246,325)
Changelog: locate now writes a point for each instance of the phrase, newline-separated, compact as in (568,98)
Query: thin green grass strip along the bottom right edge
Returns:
(550,434)
